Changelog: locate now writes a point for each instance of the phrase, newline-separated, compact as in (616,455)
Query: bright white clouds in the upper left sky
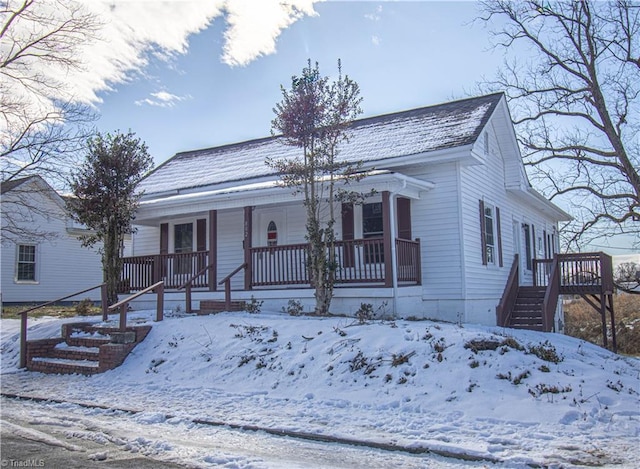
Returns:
(133,30)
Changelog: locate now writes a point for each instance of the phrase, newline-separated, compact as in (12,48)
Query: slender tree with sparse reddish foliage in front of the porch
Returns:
(314,115)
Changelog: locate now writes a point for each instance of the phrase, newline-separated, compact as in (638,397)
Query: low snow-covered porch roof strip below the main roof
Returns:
(269,192)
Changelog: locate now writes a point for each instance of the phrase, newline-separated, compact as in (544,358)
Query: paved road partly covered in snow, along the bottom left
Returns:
(61,435)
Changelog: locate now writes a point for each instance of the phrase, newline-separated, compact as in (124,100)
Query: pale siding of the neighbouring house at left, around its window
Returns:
(63,266)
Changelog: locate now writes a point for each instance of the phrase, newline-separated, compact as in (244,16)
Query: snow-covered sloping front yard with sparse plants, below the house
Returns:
(511,398)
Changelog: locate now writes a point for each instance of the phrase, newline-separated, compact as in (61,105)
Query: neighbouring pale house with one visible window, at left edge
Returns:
(42,257)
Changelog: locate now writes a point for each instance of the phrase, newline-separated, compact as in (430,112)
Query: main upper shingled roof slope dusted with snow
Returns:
(412,132)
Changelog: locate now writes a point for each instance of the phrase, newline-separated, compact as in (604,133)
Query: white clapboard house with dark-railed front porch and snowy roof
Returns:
(452,210)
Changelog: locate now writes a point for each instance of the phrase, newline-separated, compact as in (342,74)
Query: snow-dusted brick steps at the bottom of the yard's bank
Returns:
(83,348)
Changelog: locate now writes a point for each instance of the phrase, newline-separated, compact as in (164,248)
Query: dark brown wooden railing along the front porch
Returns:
(359,262)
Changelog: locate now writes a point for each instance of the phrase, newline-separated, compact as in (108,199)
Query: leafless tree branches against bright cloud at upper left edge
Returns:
(43,126)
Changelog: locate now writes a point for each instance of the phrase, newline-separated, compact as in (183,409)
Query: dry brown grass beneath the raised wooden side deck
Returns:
(584,322)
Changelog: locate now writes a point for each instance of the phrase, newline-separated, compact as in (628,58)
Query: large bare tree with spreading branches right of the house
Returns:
(575,105)
